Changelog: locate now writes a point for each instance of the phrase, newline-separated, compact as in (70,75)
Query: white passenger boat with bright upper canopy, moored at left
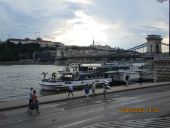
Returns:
(77,75)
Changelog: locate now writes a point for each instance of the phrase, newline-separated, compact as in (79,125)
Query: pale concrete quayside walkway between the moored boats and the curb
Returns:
(77,94)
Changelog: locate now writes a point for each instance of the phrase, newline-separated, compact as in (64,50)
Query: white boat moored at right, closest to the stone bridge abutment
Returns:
(134,71)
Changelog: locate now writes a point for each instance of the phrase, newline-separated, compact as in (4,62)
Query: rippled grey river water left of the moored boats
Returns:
(15,80)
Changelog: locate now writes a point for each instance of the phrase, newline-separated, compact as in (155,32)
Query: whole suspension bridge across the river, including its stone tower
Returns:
(149,50)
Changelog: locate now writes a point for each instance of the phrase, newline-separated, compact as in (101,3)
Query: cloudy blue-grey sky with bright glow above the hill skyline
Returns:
(117,23)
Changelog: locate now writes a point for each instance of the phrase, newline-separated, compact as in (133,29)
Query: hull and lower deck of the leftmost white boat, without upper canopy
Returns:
(76,80)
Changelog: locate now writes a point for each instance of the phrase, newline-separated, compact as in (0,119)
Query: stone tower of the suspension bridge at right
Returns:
(154,44)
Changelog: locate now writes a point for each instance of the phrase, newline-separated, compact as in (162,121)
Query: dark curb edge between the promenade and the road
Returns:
(66,99)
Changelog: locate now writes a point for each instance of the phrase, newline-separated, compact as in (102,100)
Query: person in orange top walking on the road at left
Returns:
(34,104)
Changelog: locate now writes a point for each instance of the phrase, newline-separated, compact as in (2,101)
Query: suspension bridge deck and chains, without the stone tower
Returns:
(135,52)
